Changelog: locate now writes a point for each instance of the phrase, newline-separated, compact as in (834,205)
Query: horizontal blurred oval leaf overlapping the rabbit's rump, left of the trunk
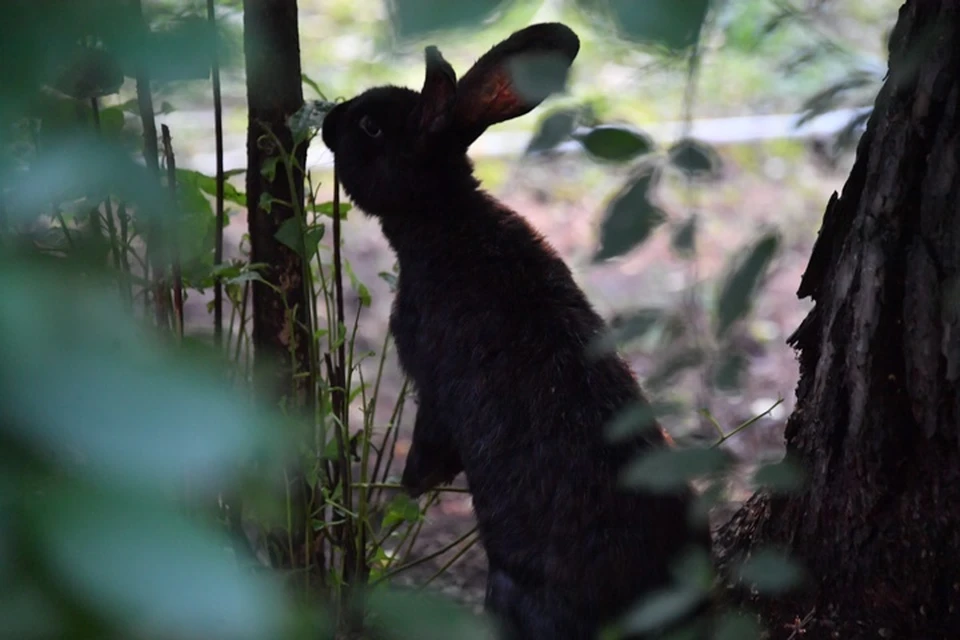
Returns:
(668,470)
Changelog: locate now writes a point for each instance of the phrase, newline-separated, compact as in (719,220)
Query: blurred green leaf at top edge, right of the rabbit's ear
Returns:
(665,24)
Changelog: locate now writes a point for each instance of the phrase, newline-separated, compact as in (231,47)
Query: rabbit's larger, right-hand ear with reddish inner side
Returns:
(514,77)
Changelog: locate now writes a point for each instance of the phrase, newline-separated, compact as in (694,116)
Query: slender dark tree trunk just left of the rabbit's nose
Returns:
(282,313)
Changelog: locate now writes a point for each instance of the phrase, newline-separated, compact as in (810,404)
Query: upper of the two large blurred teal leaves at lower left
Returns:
(94,394)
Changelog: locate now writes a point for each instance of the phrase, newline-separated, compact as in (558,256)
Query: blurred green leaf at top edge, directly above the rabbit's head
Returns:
(413,19)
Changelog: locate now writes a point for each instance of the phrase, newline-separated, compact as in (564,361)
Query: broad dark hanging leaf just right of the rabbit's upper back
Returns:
(629,219)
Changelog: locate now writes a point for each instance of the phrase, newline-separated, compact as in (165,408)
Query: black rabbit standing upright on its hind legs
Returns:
(493,330)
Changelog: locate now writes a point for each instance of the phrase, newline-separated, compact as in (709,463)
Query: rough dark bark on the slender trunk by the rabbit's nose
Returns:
(274,92)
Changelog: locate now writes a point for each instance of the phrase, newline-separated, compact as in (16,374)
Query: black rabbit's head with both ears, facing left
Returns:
(400,152)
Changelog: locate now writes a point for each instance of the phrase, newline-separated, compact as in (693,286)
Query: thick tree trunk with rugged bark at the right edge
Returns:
(877,421)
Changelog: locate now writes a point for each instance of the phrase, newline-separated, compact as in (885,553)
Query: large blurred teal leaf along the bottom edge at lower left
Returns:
(142,565)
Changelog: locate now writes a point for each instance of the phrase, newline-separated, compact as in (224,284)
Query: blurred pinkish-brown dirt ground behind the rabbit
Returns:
(789,193)
